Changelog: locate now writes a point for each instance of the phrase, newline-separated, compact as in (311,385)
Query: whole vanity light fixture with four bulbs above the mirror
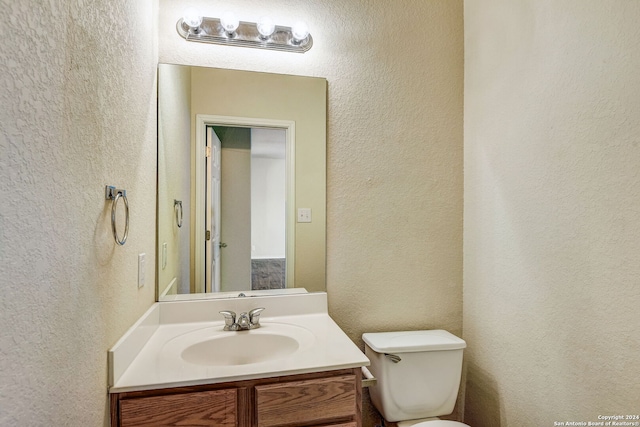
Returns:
(228,30)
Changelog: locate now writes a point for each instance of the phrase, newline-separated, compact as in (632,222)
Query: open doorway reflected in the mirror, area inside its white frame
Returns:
(246,199)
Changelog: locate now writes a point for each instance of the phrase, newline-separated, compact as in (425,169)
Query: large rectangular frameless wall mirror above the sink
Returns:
(241,182)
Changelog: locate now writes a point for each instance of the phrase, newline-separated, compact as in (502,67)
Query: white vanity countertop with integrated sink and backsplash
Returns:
(182,343)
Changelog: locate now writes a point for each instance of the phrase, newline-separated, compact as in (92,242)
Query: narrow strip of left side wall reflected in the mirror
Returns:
(174,177)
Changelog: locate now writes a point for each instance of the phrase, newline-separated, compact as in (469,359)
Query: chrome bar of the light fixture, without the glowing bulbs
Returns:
(246,35)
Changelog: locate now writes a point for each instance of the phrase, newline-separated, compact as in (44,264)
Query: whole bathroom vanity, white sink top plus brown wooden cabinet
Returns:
(177,366)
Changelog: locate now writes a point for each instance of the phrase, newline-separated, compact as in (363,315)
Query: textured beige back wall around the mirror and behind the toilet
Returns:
(394,154)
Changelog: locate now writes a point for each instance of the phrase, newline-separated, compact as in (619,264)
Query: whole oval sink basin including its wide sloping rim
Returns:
(214,347)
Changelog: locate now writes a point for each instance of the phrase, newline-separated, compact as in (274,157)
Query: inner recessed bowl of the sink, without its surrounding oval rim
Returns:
(241,348)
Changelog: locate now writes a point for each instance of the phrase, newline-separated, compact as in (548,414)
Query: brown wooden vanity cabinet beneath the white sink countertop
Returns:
(325,399)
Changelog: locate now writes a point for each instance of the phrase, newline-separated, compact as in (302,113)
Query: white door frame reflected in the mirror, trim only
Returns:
(202,122)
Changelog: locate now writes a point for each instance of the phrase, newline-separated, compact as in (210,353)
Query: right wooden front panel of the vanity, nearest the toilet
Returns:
(307,402)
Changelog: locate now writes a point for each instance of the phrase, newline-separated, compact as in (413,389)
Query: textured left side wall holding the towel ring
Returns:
(77,90)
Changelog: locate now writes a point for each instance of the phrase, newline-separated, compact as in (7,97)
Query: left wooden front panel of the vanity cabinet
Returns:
(205,408)
